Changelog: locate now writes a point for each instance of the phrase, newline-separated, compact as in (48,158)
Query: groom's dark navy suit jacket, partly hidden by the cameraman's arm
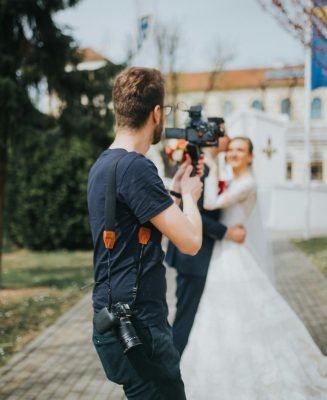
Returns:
(212,230)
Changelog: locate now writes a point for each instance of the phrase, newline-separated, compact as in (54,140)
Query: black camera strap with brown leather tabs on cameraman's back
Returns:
(109,236)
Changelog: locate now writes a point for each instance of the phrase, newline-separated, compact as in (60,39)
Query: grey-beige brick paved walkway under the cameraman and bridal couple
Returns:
(61,363)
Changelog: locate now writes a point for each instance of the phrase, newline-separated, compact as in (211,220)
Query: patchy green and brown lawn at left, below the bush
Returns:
(37,287)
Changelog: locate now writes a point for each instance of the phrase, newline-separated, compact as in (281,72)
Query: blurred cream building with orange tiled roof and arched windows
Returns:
(274,90)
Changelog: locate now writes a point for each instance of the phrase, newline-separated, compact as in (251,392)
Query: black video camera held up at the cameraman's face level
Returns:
(198,133)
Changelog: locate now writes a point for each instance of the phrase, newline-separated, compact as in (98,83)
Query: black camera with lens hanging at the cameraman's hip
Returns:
(118,320)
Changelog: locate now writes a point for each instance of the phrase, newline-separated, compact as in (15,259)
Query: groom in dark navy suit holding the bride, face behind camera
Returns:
(192,270)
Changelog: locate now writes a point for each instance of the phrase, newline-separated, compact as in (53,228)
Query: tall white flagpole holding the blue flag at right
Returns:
(307,130)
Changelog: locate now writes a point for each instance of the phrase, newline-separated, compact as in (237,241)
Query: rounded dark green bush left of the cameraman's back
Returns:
(46,206)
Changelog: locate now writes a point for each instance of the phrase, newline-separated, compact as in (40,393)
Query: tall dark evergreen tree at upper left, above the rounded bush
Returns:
(33,49)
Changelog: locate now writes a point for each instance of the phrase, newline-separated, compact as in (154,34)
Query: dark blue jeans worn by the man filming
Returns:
(158,345)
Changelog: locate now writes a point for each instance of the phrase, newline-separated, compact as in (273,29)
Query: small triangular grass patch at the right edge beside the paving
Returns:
(316,250)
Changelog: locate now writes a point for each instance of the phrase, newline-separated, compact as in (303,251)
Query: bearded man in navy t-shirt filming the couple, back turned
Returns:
(142,200)
